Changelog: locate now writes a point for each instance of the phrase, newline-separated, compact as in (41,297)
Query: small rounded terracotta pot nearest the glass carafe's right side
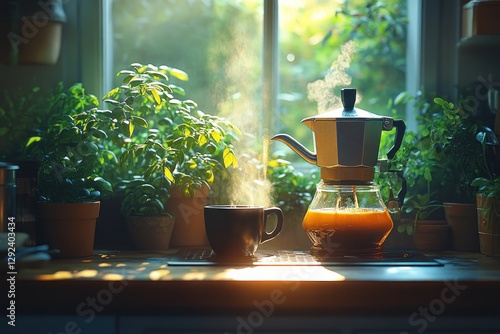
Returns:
(432,235)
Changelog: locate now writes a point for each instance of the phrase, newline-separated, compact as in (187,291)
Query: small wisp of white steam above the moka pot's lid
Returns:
(322,91)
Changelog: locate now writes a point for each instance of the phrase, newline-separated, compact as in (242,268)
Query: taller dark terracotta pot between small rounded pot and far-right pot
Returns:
(463,221)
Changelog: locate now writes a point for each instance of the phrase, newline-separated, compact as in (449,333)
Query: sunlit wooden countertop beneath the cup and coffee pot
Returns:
(122,282)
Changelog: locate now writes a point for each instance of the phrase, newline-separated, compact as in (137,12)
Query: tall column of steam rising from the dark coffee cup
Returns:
(248,184)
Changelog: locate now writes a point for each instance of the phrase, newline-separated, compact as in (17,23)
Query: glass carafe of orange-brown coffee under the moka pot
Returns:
(347,218)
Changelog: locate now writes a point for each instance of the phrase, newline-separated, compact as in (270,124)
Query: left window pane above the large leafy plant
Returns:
(217,42)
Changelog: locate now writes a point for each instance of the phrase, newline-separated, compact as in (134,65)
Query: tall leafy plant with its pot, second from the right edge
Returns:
(460,156)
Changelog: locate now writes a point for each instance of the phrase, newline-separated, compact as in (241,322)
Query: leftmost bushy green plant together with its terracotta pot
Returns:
(70,180)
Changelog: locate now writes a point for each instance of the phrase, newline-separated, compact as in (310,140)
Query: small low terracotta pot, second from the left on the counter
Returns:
(150,233)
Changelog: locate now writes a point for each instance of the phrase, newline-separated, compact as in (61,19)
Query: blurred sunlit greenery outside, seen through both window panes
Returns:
(219,43)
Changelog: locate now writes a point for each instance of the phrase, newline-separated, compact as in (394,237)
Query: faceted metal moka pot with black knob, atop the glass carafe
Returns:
(346,141)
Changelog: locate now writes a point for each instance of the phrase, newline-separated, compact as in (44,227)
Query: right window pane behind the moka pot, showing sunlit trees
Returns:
(326,45)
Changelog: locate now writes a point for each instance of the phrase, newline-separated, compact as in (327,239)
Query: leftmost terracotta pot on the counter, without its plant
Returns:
(70,227)
